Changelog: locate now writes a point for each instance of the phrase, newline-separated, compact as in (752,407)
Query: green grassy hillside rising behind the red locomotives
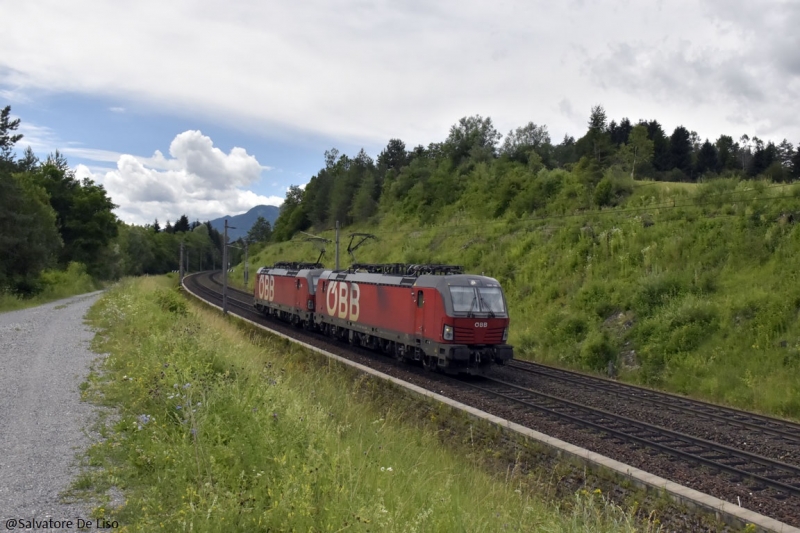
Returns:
(690,288)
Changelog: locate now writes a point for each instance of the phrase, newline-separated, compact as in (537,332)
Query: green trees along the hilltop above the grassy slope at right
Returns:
(472,168)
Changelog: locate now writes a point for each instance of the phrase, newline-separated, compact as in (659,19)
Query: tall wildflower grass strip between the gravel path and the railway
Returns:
(219,429)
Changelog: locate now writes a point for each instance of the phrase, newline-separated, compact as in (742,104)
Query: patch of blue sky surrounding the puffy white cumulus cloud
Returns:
(95,131)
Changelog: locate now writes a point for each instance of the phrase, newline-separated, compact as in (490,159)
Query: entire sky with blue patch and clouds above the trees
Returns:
(241,99)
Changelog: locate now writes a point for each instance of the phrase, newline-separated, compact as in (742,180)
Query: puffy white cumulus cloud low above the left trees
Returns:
(198,180)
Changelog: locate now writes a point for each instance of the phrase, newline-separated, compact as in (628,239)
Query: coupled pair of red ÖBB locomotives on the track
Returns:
(435,314)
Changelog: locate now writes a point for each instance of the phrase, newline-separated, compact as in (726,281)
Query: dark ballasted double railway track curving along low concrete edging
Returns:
(761,481)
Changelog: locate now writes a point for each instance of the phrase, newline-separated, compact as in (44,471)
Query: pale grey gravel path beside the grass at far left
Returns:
(44,356)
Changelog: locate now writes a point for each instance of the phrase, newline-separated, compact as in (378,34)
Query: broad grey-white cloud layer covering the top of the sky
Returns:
(363,72)
